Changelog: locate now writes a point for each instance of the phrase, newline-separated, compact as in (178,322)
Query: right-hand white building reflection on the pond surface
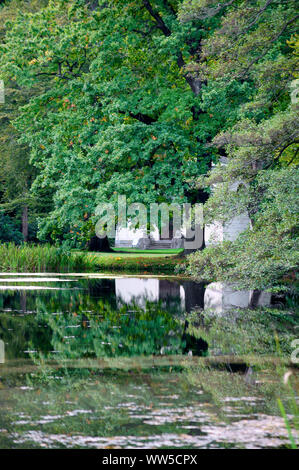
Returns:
(221,297)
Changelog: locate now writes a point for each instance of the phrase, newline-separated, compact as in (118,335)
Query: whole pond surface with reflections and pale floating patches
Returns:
(126,362)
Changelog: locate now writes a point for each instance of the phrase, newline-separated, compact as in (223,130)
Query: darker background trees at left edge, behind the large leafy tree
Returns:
(16,172)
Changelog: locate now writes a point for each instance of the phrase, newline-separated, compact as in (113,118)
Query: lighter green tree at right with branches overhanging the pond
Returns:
(255,44)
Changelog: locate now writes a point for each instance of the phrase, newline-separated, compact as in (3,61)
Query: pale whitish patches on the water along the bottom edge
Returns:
(266,431)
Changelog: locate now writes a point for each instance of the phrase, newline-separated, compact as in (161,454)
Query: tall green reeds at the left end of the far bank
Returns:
(42,258)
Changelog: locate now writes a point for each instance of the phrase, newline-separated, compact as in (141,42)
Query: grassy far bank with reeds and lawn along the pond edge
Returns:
(46,258)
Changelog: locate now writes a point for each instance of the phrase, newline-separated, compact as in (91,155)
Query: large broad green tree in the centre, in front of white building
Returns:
(122,115)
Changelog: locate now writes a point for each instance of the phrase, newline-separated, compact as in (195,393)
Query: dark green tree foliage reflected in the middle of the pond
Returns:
(115,333)
